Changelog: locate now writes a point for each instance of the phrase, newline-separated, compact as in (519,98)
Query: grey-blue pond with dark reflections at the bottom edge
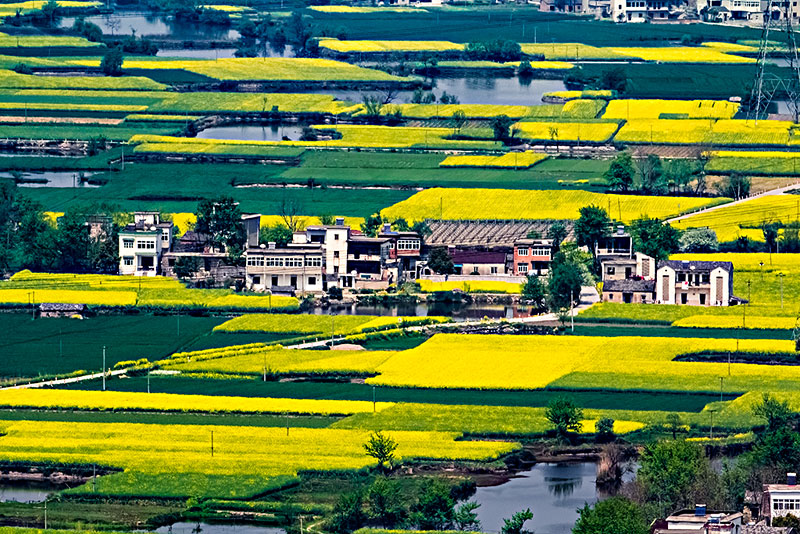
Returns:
(553,491)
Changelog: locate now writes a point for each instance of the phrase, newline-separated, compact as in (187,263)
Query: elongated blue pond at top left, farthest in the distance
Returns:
(148,24)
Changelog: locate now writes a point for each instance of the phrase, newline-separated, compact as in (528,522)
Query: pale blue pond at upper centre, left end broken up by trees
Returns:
(475,90)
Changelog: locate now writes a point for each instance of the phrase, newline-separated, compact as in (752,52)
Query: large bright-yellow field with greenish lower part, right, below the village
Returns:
(615,363)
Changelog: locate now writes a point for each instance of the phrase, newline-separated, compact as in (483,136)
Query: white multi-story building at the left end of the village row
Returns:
(142,243)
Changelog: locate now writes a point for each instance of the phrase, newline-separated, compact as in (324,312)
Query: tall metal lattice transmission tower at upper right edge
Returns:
(777,47)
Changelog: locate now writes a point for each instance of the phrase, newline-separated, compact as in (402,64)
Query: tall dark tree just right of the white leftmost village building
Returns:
(221,220)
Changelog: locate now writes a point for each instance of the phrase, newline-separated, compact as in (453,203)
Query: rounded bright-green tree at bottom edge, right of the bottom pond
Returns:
(616,514)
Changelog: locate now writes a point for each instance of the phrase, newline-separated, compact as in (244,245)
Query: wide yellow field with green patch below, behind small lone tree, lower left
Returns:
(175,460)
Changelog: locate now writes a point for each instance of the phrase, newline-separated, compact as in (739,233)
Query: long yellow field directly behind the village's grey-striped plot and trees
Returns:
(438,203)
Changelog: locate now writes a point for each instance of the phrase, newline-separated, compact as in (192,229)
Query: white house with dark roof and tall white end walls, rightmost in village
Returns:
(696,283)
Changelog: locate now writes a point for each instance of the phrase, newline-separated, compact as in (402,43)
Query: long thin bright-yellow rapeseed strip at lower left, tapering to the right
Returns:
(168,402)
